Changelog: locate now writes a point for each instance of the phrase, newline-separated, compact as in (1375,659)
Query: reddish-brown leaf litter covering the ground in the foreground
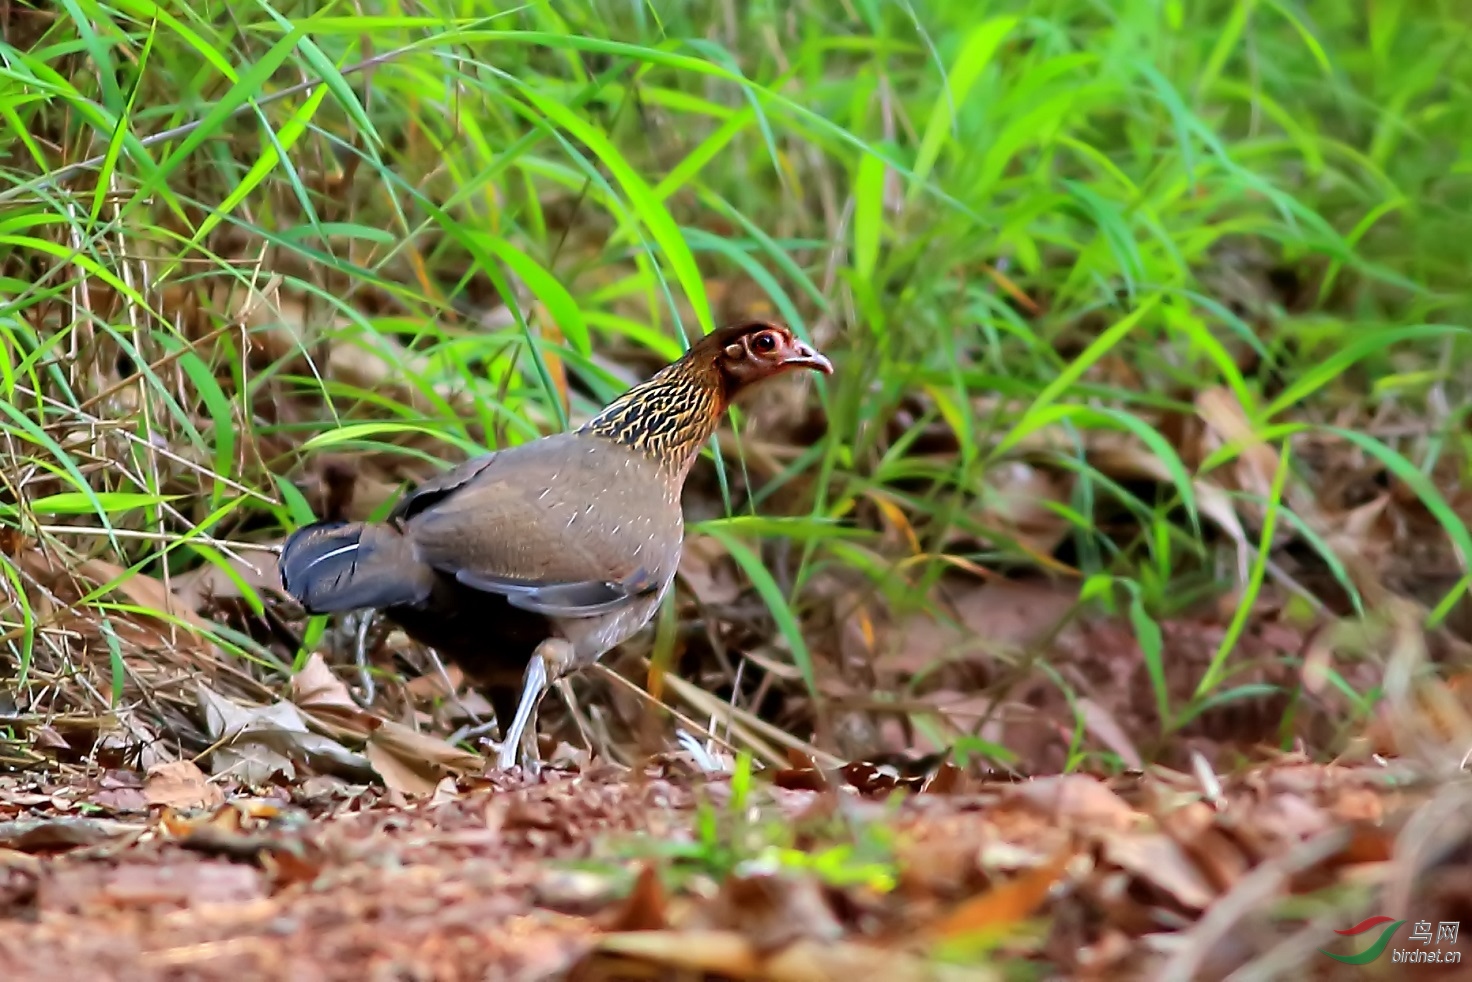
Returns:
(1102,878)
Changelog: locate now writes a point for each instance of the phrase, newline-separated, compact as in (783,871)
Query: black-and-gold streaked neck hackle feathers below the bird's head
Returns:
(670,416)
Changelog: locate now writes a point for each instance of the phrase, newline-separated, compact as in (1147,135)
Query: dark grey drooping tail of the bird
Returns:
(339,566)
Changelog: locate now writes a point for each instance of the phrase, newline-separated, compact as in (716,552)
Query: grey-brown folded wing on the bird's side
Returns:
(560,528)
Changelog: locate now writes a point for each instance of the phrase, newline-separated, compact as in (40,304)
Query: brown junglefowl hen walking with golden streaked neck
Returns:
(528,565)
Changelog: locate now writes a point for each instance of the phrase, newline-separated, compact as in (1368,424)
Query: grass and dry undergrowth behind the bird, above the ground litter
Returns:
(1149,319)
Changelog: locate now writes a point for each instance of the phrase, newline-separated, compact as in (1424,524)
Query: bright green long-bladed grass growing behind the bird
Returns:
(983,211)
